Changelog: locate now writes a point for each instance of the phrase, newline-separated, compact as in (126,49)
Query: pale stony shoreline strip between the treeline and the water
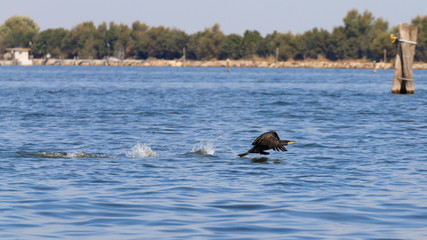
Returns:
(258,63)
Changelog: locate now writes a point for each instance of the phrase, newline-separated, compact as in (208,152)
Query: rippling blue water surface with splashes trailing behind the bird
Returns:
(150,153)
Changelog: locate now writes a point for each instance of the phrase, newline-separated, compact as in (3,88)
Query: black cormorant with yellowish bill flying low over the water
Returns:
(268,140)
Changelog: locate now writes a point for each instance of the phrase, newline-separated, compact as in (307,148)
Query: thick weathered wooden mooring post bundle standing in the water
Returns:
(403,81)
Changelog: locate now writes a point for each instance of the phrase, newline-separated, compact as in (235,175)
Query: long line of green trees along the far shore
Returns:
(361,37)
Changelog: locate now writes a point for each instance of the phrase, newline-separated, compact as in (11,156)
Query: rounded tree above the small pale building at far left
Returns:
(17,31)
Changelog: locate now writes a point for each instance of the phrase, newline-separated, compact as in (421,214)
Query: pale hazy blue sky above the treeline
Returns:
(234,16)
